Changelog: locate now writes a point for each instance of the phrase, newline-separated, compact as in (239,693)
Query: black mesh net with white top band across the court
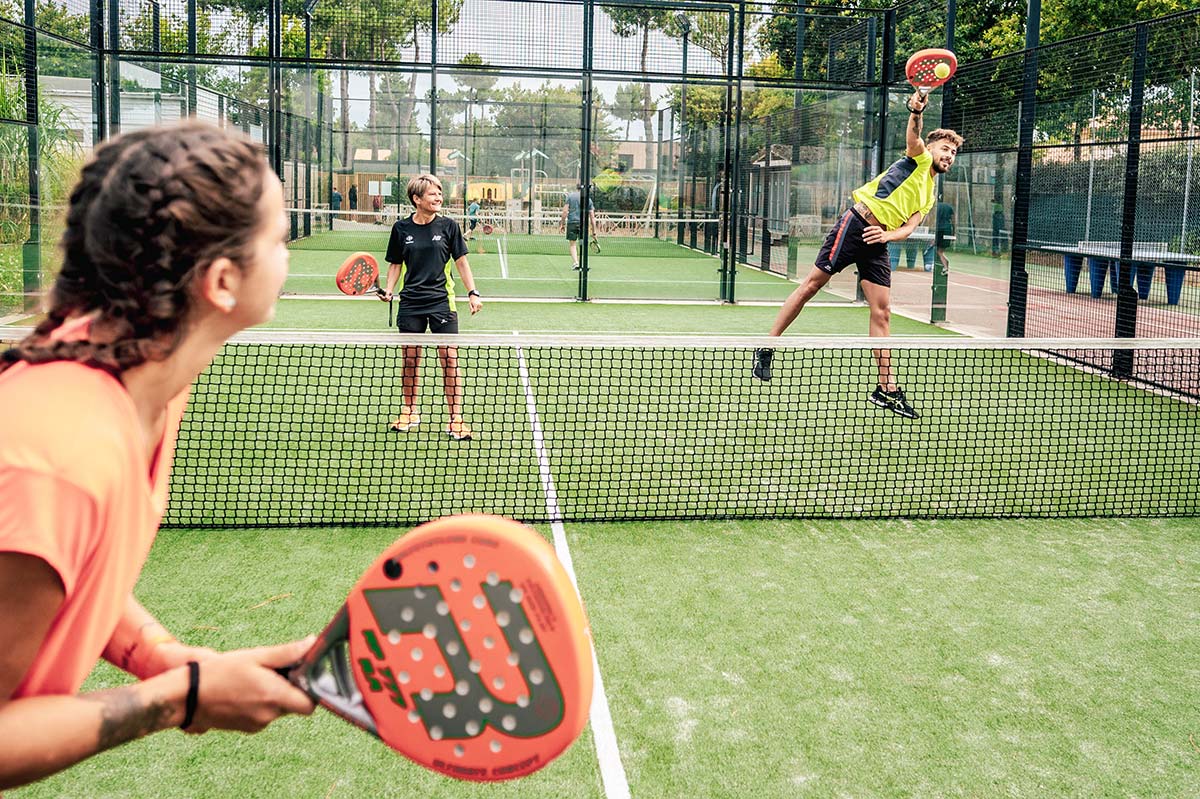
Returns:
(292,430)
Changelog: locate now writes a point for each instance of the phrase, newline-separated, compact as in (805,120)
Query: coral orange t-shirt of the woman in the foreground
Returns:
(79,494)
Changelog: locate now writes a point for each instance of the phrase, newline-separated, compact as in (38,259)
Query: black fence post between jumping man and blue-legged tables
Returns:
(1019,279)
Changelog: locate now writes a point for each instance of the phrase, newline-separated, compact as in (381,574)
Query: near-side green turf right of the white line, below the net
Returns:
(903,659)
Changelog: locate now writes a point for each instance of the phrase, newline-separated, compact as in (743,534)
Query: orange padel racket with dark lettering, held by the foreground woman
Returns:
(464,647)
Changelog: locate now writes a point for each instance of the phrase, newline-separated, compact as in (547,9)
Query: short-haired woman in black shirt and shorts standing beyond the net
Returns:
(419,256)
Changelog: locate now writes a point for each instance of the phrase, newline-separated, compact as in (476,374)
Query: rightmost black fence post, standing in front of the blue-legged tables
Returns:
(1127,297)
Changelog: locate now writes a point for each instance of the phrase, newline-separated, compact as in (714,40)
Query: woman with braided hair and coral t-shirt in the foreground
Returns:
(175,243)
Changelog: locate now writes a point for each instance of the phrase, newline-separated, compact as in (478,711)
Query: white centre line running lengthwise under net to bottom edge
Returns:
(613,773)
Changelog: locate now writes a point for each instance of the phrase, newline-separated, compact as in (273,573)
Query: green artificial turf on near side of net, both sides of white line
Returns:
(754,659)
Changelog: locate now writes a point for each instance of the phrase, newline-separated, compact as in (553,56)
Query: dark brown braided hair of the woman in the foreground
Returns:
(151,213)
